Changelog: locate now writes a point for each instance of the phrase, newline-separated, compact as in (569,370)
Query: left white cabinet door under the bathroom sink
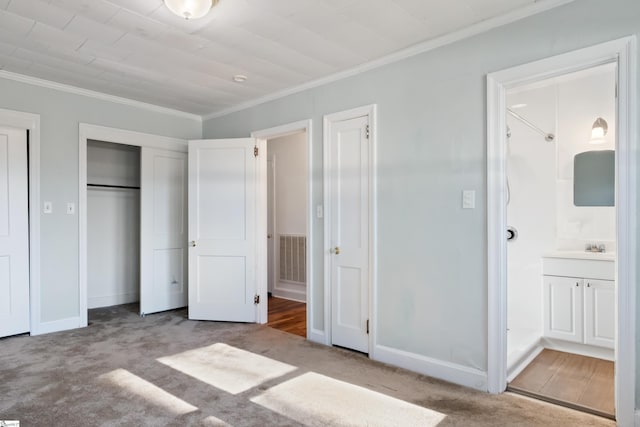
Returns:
(563,309)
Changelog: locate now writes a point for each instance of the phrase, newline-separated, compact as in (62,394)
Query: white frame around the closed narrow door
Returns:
(328,120)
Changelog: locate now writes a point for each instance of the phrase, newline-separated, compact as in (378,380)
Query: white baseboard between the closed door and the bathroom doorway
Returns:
(447,371)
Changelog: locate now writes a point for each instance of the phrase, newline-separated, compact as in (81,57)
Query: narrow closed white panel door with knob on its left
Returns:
(349,224)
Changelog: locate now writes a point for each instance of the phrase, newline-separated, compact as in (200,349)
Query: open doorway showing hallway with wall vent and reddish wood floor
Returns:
(287,232)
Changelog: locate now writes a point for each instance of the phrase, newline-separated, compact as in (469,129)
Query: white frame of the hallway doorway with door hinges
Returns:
(262,136)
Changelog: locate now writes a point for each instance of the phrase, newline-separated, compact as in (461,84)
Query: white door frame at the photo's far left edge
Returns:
(31,122)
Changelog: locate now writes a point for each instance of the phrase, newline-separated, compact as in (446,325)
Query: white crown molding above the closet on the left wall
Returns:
(96,95)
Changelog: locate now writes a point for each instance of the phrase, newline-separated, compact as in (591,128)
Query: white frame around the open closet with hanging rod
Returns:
(116,136)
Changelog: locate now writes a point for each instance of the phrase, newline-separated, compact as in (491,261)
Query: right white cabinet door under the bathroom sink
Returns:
(600,313)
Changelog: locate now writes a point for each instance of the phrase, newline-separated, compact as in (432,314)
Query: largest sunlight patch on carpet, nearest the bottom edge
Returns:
(317,400)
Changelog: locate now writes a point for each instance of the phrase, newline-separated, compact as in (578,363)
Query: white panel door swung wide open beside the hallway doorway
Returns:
(222,230)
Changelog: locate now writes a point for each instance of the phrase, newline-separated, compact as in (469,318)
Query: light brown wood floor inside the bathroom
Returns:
(579,382)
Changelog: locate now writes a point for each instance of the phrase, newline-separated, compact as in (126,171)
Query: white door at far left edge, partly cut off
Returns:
(14,233)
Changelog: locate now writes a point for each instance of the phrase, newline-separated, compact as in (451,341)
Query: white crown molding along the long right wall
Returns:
(481,27)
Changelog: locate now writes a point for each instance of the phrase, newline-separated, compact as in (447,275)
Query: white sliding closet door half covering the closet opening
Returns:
(163,230)
